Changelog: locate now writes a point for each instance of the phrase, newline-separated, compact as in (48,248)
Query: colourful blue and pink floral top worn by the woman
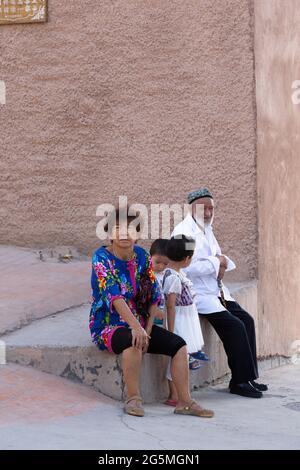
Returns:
(113,278)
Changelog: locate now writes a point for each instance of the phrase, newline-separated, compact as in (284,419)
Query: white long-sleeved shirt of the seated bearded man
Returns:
(204,268)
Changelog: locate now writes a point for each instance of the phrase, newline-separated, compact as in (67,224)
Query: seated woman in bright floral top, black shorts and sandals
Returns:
(125,297)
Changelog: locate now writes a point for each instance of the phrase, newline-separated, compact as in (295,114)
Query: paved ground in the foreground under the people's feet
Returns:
(40,411)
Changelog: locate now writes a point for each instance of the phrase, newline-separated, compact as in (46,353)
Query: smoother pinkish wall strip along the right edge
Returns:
(278,170)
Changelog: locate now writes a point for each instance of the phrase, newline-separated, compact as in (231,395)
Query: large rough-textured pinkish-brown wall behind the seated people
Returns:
(144,98)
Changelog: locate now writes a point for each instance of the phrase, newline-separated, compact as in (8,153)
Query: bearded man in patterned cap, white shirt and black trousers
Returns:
(234,325)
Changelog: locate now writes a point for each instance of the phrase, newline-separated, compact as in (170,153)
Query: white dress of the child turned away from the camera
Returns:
(187,323)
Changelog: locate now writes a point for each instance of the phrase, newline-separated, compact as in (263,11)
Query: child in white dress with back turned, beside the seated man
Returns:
(182,315)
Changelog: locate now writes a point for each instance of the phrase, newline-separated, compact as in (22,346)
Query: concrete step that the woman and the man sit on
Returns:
(61,344)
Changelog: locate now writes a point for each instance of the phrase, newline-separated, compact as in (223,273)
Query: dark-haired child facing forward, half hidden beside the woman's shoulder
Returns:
(159,263)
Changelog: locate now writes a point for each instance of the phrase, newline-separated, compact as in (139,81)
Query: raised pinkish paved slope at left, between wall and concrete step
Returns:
(31,288)
